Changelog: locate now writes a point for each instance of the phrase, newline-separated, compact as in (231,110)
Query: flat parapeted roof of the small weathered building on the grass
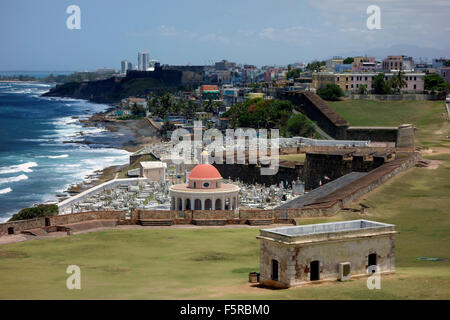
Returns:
(327,231)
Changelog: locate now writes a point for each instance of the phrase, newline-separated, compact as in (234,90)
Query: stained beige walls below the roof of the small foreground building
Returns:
(294,260)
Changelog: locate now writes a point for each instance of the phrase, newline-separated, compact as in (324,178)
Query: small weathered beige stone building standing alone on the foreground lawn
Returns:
(292,256)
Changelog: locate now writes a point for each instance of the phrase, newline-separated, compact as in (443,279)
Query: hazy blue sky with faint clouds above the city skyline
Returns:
(34,34)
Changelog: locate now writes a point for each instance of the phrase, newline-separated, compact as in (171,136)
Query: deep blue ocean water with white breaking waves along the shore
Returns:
(35,164)
